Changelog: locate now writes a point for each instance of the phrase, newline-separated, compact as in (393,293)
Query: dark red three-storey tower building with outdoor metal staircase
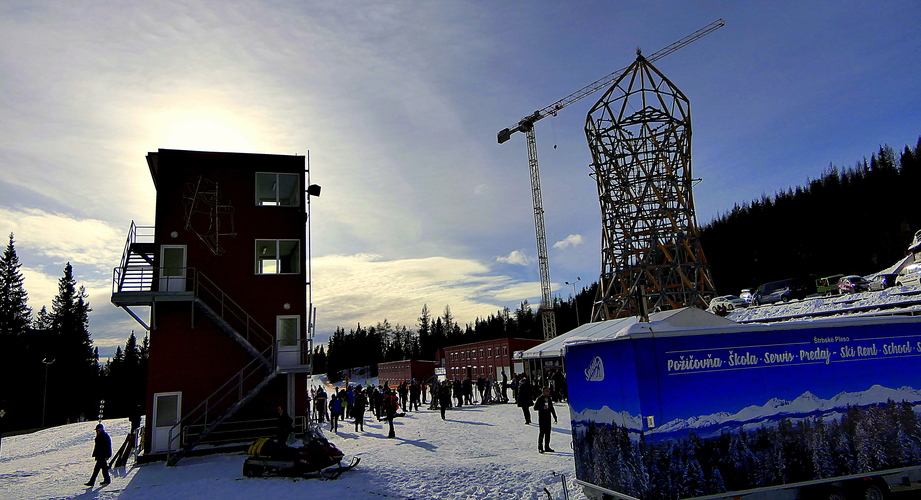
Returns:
(223,279)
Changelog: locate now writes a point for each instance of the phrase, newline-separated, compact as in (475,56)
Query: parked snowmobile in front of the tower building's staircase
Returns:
(316,458)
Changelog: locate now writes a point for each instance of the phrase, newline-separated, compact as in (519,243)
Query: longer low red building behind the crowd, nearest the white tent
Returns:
(489,357)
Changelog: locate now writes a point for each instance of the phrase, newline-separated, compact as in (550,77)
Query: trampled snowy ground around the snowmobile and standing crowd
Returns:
(478,452)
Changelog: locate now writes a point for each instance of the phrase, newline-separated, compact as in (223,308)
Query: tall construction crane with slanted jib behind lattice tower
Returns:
(526,125)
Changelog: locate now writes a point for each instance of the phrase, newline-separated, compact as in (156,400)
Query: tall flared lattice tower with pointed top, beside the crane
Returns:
(639,134)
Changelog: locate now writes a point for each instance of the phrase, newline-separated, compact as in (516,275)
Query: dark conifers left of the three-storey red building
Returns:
(49,367)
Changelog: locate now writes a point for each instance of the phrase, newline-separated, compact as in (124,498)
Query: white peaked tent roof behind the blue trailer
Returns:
(688,317)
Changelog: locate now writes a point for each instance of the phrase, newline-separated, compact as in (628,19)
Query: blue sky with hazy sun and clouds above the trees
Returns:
(398,104)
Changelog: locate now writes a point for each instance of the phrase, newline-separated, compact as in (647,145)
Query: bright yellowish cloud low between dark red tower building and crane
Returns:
(364,288)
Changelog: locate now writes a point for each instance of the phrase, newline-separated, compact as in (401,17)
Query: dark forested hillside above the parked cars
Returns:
(857,220)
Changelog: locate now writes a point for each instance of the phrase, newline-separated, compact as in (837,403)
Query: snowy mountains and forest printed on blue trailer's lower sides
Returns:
(779,442)
